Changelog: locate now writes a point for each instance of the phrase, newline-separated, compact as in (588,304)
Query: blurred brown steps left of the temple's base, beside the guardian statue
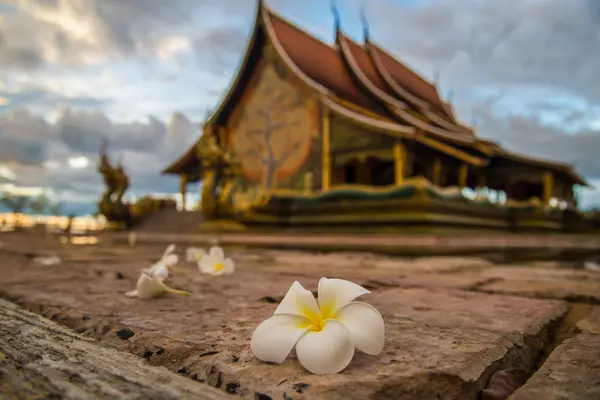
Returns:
(171,221)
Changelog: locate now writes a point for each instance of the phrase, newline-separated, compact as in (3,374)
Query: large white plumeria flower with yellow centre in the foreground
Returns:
(325,333)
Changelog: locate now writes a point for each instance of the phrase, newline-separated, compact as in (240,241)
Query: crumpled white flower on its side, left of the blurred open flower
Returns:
(151,281)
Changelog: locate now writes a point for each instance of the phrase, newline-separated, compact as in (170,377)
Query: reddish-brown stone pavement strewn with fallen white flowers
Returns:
(451,322)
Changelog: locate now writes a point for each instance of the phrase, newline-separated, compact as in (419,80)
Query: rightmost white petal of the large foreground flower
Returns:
(366,326)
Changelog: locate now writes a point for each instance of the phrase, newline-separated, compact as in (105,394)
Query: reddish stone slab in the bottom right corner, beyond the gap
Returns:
(571,372)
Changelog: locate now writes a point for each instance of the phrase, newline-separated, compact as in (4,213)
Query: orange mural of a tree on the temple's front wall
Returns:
(273,134)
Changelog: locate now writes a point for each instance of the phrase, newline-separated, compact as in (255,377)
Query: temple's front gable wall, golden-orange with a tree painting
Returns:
(275,129)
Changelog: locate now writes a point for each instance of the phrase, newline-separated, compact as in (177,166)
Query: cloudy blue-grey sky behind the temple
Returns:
(144,74)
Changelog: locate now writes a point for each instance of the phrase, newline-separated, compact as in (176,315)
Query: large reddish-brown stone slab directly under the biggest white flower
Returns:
(440,343)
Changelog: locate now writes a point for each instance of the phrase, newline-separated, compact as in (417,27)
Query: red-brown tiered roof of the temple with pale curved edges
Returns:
(366,84)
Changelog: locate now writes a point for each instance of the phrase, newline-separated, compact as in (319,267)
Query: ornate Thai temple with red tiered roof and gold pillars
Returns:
(345,136)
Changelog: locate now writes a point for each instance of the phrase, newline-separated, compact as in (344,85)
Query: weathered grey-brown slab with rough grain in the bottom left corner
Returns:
(41,359)
